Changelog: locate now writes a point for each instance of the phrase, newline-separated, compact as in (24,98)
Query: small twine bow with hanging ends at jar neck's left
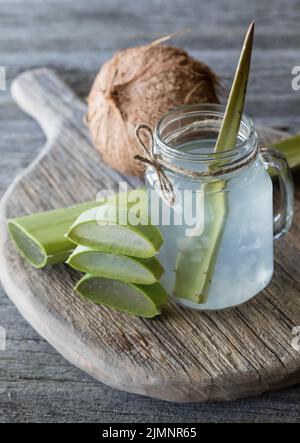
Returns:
(154,160)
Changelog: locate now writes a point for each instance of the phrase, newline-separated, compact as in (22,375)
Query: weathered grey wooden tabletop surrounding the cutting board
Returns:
(37,384)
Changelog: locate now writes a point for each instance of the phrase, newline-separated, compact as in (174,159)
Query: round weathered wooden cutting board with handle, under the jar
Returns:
(181,356)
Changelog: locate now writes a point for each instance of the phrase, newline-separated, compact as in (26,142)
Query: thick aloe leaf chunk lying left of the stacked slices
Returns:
(40,238)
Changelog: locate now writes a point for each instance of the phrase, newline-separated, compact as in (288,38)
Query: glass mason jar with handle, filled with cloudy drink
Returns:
(219,229)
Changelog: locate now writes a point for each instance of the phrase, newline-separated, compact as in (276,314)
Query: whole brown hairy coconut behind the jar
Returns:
(139,85)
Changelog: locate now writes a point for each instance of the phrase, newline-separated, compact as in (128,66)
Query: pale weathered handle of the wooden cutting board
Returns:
(43,95)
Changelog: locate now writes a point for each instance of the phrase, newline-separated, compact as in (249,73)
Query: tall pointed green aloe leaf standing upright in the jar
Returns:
(194,275)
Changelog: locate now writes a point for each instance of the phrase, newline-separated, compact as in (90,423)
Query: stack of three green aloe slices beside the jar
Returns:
(118,259)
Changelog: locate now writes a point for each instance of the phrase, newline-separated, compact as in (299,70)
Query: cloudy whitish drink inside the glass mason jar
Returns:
(244,263)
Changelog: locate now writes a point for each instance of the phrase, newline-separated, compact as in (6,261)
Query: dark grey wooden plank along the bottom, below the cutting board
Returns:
(92,402)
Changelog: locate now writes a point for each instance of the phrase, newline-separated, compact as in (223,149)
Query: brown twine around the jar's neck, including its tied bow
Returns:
(158,163)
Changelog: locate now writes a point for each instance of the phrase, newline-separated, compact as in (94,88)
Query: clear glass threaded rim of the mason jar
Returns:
(242,150)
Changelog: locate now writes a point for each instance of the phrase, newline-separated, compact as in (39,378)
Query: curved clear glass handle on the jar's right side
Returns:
(274,159)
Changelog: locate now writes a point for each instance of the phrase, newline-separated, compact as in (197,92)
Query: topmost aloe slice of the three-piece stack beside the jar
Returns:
(105,233)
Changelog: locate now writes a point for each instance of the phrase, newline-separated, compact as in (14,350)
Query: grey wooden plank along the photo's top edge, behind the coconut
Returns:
(143,20)
